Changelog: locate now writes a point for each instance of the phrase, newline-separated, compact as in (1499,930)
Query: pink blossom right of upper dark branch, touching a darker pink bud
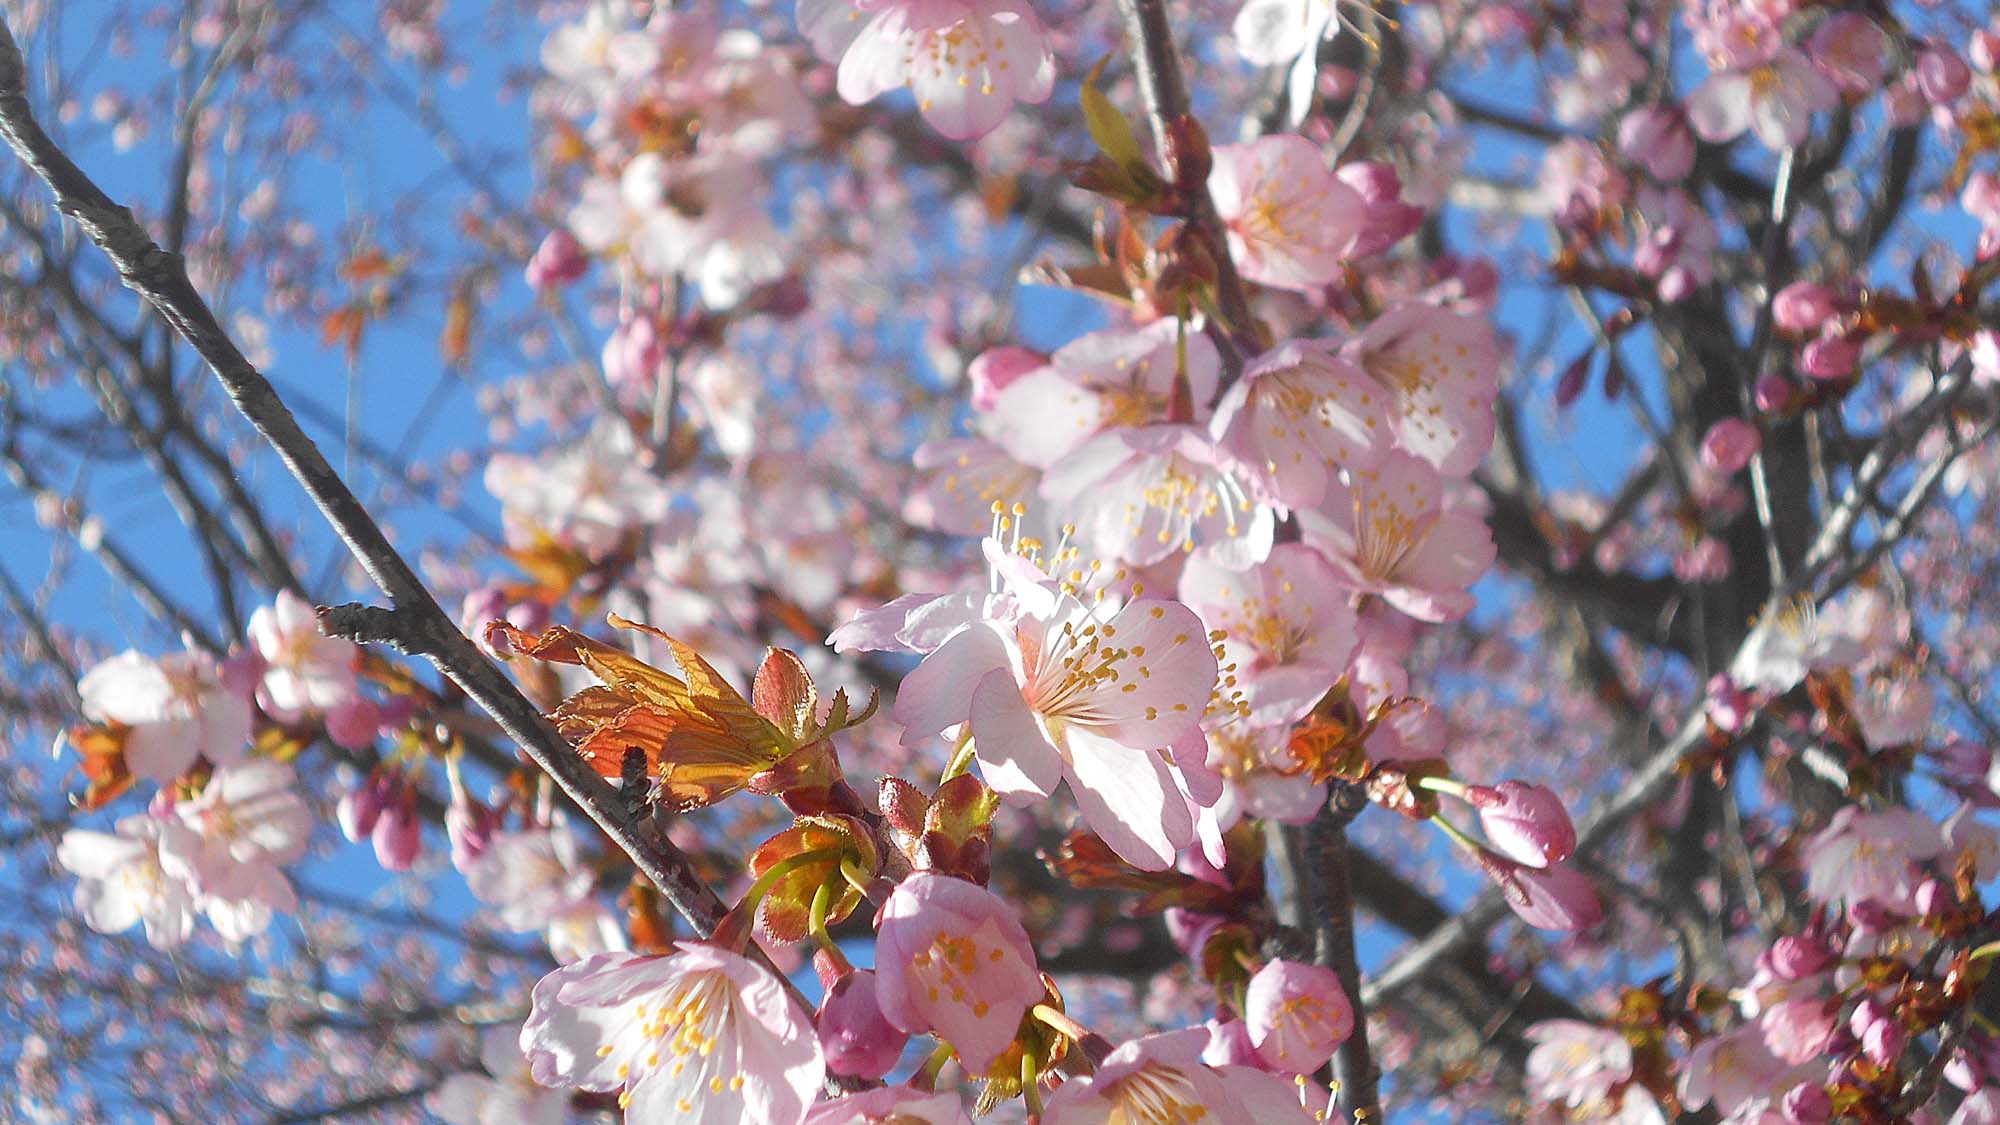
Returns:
(1289,219)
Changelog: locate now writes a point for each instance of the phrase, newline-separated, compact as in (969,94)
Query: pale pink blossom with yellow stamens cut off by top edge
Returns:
(967,61)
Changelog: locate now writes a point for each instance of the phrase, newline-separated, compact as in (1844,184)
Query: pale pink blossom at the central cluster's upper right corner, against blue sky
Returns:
(1441,371)
